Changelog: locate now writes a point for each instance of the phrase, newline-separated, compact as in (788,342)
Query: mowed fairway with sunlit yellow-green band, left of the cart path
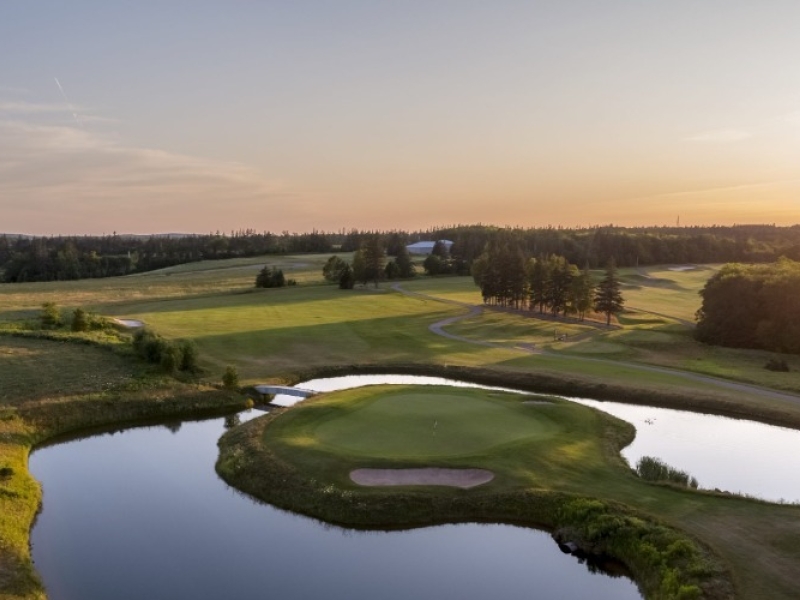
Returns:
(276,332)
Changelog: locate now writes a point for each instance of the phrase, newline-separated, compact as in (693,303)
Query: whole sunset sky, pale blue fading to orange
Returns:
(196,116)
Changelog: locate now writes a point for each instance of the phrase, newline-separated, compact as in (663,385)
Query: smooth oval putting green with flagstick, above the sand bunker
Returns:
(408,423)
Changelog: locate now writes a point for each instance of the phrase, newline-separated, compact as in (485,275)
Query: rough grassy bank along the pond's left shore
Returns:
(53,388)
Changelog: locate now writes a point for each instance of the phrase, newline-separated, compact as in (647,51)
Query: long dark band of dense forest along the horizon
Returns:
(25,258)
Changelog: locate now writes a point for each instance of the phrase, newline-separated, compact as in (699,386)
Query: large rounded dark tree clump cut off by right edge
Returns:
(752,306)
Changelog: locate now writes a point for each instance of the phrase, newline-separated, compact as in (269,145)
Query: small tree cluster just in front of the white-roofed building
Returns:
(369,265)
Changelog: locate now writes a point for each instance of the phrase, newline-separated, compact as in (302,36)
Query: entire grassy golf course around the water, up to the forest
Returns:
(553,464)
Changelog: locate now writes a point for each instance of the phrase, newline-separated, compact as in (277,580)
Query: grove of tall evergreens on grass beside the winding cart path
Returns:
(544,283)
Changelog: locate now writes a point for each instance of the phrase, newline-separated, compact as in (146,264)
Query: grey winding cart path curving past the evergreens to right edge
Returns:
(476,310)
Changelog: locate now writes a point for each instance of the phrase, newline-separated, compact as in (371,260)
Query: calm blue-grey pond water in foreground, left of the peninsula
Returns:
(141,514)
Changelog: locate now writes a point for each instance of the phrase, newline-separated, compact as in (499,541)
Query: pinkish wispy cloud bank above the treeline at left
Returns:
(70,176)
